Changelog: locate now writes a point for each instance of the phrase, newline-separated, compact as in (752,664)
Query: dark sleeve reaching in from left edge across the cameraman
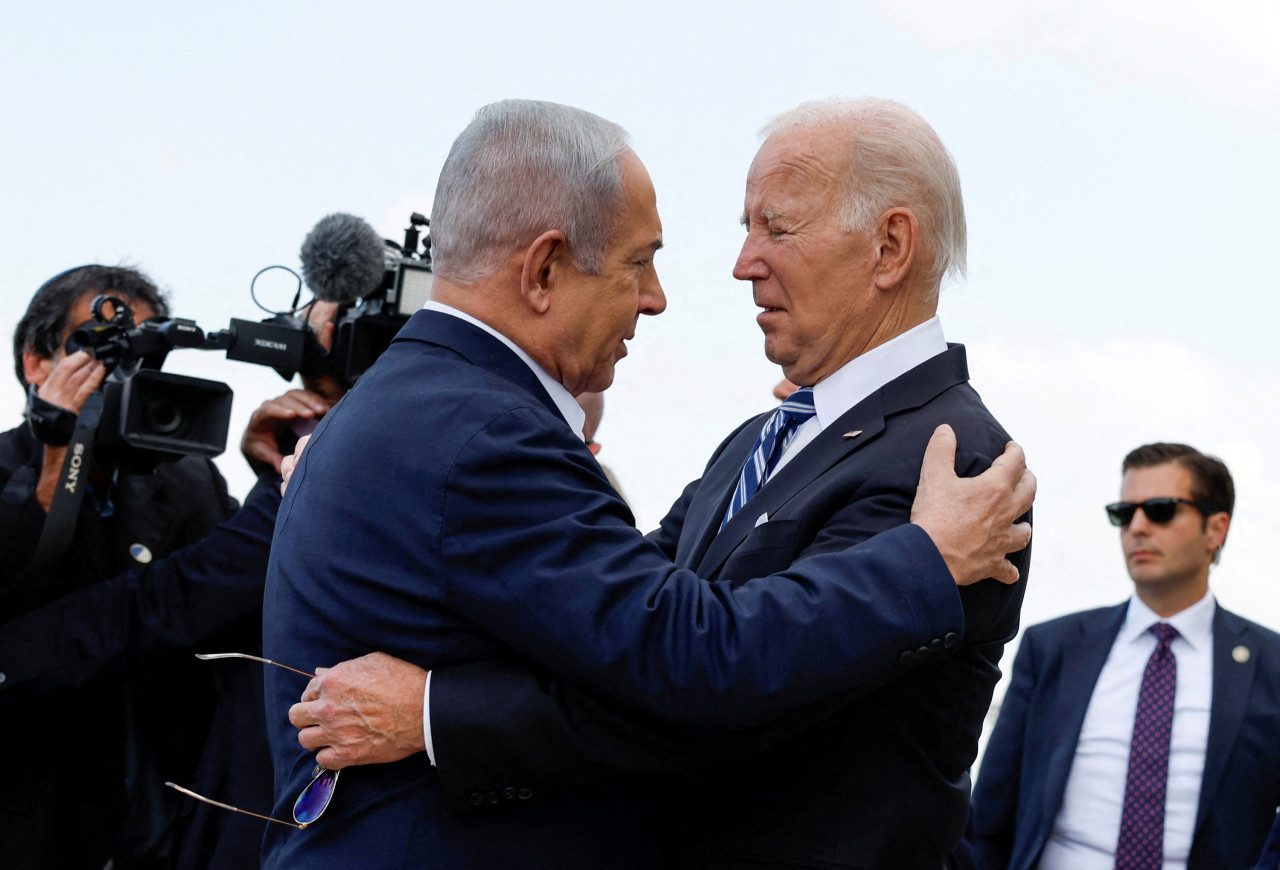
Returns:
(196,596)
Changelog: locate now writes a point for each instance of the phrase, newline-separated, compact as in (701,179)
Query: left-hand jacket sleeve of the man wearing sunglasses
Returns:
(994,816)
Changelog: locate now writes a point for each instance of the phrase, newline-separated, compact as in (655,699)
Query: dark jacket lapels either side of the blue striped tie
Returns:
(853,431)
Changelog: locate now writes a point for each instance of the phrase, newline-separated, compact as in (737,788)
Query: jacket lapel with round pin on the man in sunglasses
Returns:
(1232,683)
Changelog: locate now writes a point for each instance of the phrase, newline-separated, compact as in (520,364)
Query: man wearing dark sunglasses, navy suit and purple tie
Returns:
(1142,735)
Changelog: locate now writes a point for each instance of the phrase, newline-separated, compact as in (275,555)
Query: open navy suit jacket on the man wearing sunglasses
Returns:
(1031,752)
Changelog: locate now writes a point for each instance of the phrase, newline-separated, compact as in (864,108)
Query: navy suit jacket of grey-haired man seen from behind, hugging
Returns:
(445,514)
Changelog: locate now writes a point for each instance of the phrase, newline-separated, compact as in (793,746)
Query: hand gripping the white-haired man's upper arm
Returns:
(971,520)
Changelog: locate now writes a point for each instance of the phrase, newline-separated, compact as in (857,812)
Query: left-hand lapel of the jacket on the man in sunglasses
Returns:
(1084,656)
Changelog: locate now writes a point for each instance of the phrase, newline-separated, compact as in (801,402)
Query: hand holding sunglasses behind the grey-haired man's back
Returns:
(368,711)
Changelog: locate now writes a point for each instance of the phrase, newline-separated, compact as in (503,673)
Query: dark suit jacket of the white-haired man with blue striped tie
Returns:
(883,782)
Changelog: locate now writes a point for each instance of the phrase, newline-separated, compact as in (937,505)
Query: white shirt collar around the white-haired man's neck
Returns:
(866,374)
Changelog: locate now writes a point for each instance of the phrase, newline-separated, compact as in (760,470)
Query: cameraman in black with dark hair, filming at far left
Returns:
(100,697)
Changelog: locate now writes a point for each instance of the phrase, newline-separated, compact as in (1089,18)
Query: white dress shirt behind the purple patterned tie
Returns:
(1087,827)
